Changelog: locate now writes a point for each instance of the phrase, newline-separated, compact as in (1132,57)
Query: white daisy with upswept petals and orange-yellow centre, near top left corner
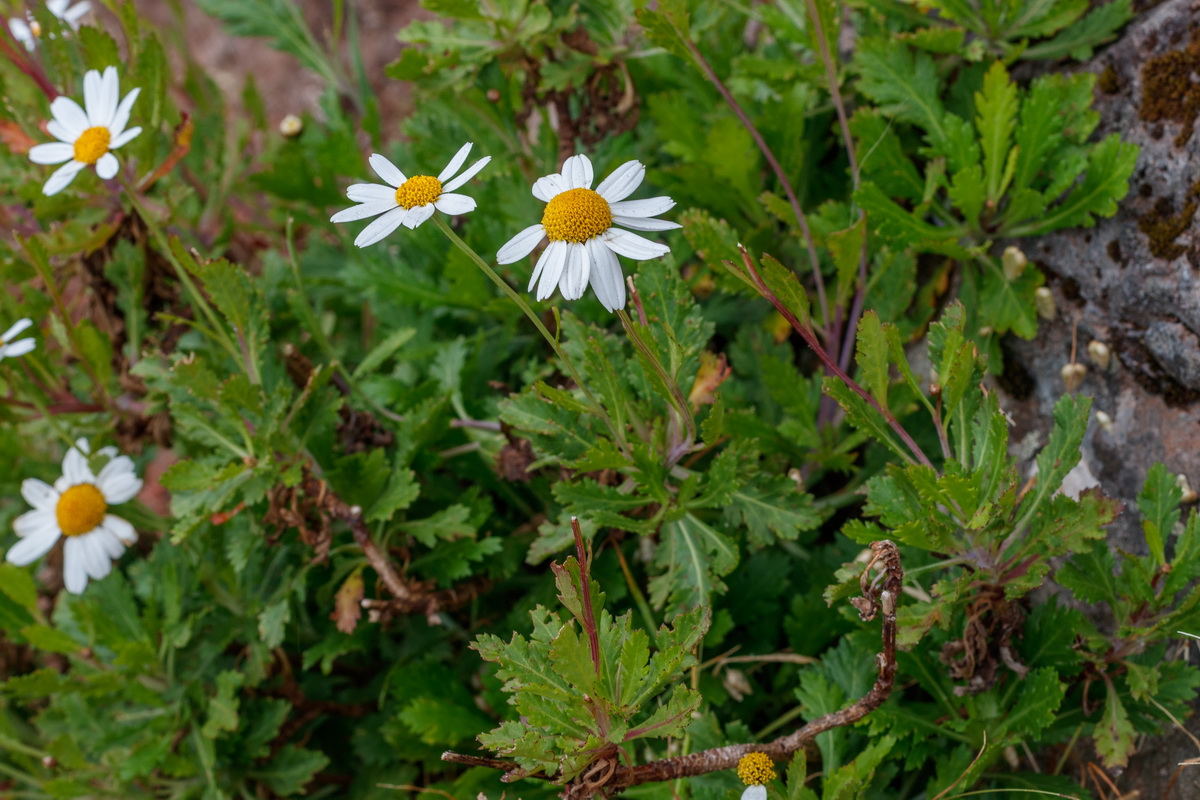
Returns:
(87,139)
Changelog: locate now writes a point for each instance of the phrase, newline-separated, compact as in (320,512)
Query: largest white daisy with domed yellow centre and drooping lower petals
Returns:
(584,242)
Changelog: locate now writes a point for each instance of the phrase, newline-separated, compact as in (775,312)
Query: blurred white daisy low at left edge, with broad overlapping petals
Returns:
(77,508)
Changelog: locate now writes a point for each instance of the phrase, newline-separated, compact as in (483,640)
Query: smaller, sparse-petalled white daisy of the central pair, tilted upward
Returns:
(409,201)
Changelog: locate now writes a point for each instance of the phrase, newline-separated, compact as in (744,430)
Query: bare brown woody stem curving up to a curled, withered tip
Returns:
(880,596)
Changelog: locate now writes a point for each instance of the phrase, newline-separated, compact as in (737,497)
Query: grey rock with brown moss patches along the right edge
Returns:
(1133,282)
